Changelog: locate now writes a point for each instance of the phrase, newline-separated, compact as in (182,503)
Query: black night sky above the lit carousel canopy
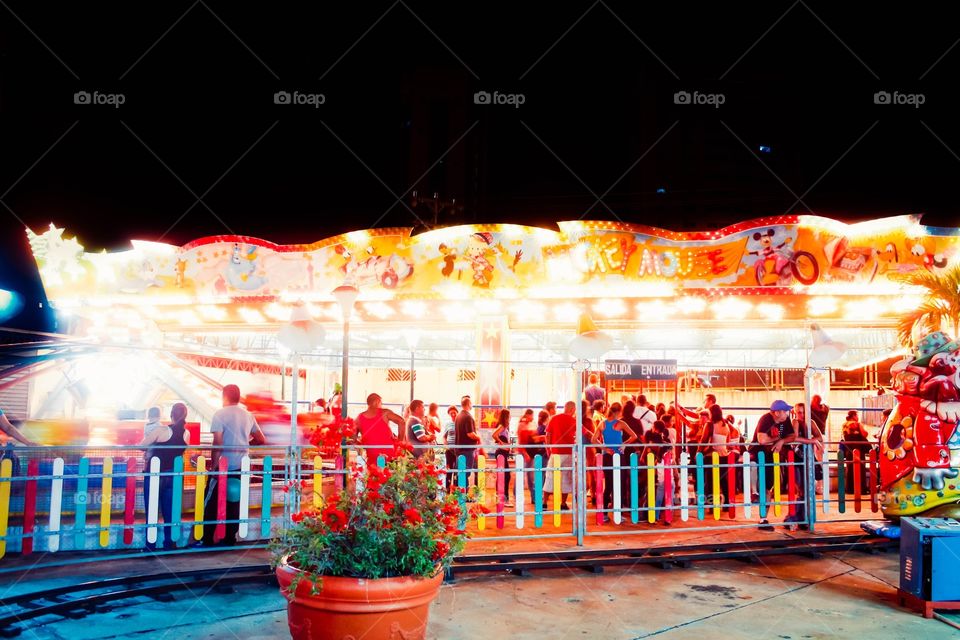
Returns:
(199,147)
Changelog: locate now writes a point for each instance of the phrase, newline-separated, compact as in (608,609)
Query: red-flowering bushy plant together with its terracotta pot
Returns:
(368,563)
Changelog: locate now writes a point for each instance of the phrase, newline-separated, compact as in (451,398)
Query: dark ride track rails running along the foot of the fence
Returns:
(77,601)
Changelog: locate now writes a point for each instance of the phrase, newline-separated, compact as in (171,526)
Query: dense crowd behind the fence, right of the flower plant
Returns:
(632,425)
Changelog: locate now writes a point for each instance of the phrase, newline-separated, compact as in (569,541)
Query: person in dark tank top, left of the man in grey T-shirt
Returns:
(166,443)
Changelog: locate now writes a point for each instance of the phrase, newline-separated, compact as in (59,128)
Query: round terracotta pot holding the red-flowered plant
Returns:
(353,608)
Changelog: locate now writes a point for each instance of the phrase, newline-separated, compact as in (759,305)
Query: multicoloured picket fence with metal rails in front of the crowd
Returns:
(64,499)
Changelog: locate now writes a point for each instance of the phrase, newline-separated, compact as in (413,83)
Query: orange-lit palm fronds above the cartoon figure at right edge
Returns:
(940,307)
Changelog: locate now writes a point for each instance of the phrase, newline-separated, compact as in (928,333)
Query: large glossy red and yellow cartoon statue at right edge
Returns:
(920,443)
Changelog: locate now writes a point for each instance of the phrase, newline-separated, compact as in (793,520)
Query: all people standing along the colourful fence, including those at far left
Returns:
(631,426)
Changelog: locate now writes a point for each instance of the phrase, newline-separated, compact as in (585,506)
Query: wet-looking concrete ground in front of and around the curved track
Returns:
(840,595)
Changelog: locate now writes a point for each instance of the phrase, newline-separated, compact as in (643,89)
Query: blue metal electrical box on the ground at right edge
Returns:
(930,558)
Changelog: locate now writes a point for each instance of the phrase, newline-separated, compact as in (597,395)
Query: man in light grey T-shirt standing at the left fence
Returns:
(234,429)
